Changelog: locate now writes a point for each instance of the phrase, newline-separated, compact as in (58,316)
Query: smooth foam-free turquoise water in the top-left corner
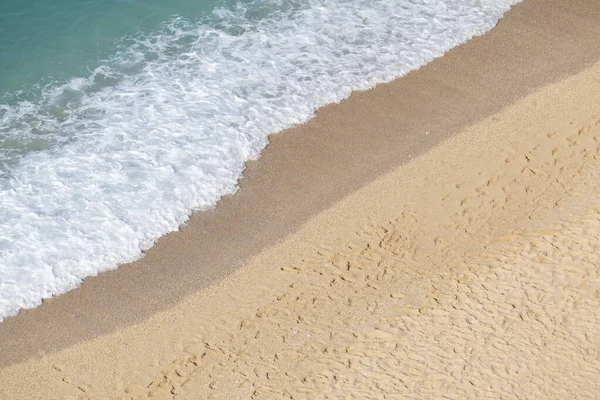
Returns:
(47,41)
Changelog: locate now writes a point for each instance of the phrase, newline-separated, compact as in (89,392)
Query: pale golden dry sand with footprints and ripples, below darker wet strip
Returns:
(471,272)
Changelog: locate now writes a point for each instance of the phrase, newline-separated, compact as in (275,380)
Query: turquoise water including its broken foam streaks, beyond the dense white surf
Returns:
(53,55)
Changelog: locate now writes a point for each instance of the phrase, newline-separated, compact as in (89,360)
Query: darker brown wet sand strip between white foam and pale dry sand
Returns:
(308,167)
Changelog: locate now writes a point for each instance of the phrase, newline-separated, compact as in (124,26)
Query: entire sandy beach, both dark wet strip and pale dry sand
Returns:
(435,237)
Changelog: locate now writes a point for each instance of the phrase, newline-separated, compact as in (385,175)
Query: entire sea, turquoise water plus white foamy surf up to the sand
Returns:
(118,118)
